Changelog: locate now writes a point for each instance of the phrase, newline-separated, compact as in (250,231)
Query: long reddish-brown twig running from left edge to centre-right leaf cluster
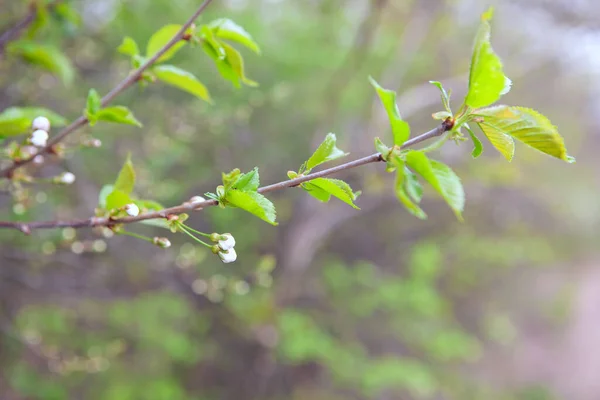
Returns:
(27,227)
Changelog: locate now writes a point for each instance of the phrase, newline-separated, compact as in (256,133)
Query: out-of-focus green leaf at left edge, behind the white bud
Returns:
(18,120)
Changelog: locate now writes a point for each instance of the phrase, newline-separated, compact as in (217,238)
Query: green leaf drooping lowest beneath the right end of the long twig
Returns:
(441,177)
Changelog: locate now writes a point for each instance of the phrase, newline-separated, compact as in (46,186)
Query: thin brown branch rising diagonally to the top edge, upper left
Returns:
(110,96)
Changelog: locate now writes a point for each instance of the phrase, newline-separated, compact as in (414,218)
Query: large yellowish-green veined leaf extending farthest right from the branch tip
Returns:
(525,125)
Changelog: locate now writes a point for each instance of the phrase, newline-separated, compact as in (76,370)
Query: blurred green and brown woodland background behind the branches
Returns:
(333,303)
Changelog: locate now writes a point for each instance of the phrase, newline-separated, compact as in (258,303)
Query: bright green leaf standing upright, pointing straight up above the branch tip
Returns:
(487,81)
